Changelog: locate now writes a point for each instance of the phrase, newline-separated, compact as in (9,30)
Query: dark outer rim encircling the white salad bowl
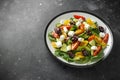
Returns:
(72,65)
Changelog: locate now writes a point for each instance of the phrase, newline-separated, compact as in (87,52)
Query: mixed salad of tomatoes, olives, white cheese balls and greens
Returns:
(79,39)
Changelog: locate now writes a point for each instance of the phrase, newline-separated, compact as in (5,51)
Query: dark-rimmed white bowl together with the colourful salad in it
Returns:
(88,51)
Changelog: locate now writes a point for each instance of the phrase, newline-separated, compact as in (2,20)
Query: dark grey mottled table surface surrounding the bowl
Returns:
(23,54)
